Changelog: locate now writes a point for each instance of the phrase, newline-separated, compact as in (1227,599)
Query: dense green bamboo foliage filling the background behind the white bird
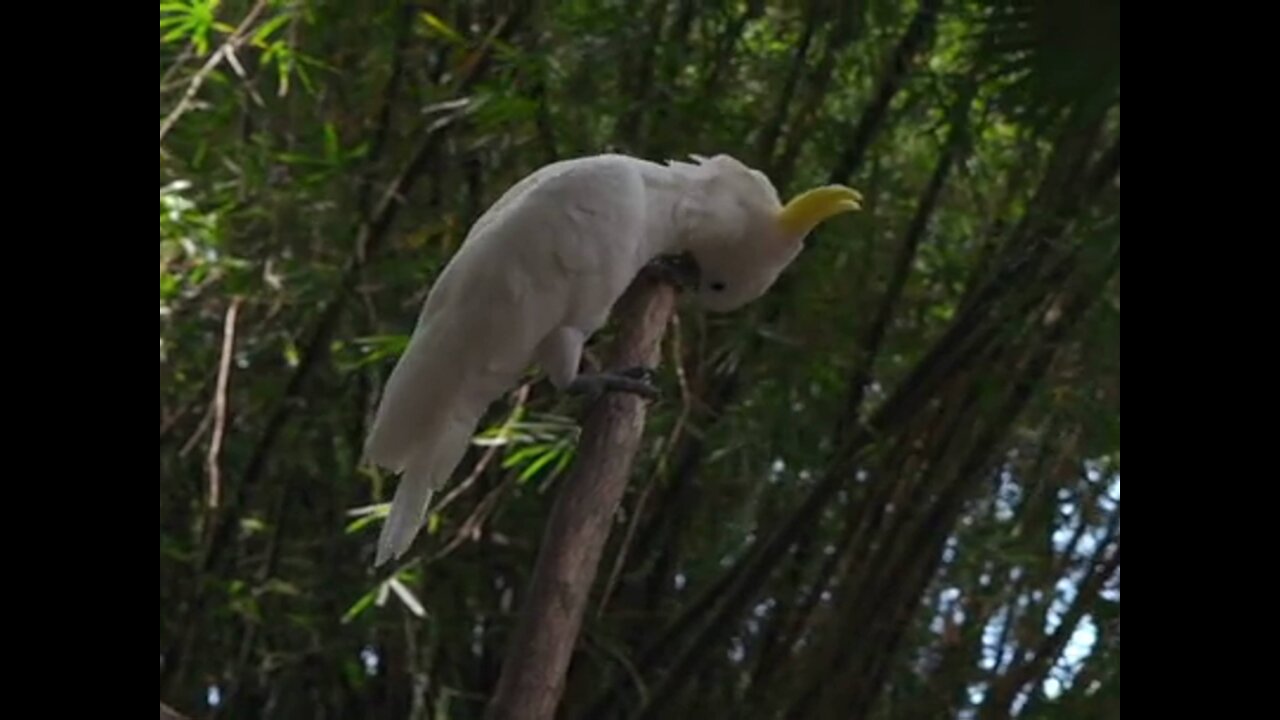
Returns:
(888,490)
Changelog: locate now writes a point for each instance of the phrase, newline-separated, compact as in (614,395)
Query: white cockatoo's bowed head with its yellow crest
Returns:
(742,235)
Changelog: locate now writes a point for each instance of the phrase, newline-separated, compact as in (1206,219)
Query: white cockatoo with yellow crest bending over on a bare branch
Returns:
(537,277)
